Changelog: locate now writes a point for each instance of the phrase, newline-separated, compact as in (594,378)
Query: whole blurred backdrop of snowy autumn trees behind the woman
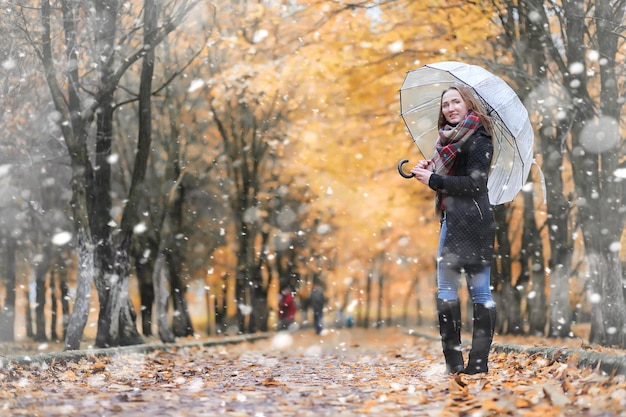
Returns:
(194,158)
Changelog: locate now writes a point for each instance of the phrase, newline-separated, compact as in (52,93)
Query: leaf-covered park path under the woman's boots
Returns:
(345,372)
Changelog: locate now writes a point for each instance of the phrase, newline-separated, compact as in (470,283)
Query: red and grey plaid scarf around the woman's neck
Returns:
(451,139)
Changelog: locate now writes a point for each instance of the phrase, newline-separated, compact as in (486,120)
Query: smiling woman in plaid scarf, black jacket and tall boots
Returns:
(458,173)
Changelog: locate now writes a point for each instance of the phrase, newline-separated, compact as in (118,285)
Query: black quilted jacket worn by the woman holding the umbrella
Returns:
(469,216)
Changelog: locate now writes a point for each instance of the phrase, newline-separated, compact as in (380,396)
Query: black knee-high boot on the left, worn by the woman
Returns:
(449,312)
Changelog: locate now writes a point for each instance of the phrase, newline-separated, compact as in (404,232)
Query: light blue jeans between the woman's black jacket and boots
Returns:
(449,276)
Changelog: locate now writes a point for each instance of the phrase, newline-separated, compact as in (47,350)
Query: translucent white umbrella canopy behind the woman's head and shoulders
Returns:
(513,136)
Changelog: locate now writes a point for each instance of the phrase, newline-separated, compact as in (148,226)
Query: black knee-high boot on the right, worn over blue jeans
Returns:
(482,336)
